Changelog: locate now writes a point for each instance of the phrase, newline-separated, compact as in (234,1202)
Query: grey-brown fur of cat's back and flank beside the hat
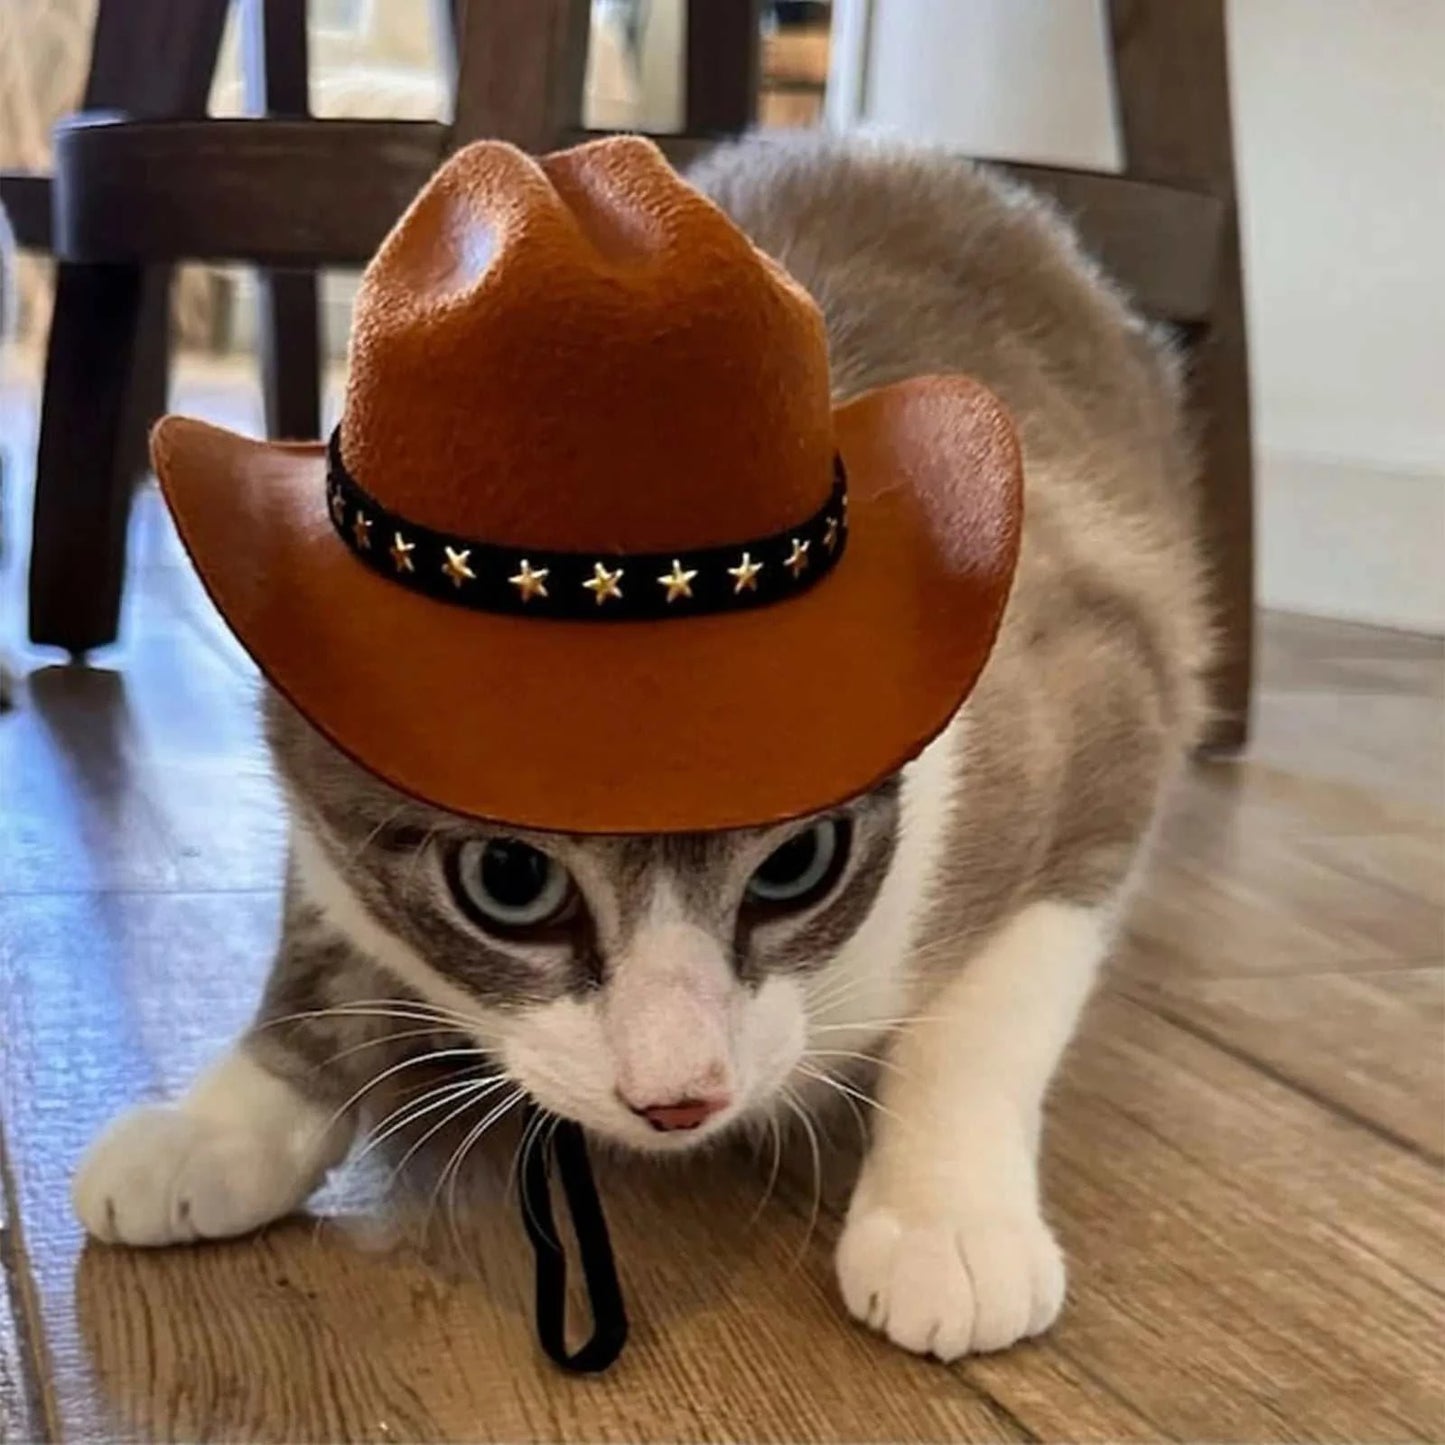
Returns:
(924,264)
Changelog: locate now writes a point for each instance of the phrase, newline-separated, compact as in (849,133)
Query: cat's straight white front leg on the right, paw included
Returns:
(946,1249)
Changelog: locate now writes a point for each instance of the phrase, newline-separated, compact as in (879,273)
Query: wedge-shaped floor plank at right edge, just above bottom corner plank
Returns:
(1368,1044)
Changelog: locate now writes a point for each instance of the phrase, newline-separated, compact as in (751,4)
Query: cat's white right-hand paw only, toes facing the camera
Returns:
(952,1285)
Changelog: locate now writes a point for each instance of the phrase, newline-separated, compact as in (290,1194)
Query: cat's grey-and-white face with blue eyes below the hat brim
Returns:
(660,991)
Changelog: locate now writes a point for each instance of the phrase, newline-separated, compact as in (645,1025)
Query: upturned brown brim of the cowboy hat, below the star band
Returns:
(667,726)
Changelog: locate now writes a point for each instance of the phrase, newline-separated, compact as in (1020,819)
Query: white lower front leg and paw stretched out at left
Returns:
(245,1147)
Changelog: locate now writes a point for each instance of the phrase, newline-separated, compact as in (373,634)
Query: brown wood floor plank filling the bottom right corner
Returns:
(1285,1261)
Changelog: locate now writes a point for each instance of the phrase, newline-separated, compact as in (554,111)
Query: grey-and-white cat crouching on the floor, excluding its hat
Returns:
(667,991)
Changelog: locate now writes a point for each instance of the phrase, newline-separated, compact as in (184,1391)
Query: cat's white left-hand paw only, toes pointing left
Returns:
(161,1176)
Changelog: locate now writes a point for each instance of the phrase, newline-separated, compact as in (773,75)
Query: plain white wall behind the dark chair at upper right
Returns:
(1340,141)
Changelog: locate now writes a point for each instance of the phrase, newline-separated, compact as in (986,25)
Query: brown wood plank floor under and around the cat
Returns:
(1245,1152)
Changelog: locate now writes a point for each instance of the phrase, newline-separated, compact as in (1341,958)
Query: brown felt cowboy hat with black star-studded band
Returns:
(592,550)
